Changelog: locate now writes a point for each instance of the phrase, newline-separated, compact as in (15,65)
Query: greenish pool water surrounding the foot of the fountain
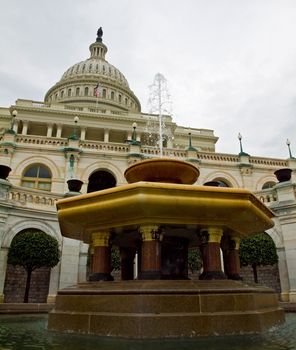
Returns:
(30,333)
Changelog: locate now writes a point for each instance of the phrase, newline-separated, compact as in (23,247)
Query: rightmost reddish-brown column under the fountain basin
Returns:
(231,259)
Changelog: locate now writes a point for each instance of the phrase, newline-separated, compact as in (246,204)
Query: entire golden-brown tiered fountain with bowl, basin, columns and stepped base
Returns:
(156,217)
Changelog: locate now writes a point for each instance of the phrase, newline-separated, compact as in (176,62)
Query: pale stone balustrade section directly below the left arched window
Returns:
(41,200)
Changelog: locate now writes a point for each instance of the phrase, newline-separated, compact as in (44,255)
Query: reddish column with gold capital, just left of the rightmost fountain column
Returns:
(210,249)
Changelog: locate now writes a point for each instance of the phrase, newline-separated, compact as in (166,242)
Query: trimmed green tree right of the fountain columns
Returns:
(258,250)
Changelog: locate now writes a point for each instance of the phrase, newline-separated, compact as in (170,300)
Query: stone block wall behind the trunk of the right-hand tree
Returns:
(267,276)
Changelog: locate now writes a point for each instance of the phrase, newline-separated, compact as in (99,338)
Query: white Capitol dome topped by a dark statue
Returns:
(94,82)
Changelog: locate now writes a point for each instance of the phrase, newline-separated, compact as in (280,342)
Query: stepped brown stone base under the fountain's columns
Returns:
(161,309)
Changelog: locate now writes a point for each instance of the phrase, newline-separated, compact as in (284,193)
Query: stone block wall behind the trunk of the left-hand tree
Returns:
(15,284)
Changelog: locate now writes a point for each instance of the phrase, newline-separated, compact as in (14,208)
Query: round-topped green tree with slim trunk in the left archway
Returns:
(31,250)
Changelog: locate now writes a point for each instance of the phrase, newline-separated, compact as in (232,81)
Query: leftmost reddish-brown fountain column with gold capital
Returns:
(101,264)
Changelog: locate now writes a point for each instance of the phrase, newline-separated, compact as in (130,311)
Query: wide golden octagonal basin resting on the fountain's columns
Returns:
(123,209)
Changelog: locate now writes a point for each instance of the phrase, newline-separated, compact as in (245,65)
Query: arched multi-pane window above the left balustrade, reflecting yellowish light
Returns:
(37,176)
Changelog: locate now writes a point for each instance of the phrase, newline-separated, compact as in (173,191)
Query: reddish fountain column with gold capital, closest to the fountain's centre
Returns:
(150,253)
